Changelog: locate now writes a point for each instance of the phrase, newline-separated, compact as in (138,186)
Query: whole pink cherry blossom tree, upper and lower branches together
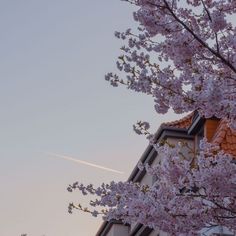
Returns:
(183,54)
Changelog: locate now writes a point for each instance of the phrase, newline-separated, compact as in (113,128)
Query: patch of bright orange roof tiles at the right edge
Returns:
(225,137)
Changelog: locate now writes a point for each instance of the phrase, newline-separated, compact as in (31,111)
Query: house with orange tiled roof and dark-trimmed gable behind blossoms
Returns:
(190,129)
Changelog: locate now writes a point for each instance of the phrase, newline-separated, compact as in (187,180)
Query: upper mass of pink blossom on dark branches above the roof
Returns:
(183,55)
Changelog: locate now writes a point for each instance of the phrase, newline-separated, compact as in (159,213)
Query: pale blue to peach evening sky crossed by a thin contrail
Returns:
(55,102)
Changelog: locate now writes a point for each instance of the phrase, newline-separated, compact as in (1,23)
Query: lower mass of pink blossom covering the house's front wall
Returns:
(185,198)
